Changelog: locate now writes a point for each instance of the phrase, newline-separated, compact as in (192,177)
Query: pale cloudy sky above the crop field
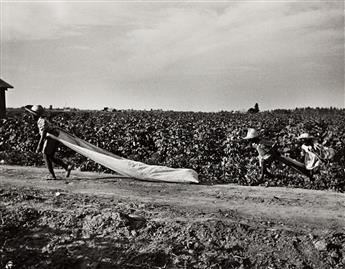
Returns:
(173,55)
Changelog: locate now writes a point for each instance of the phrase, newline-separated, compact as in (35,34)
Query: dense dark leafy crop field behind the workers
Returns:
(210,143)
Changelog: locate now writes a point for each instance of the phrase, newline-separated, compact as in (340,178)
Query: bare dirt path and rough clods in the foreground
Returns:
(96,220)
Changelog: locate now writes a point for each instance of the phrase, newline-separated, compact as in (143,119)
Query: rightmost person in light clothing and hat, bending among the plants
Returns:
(313,152)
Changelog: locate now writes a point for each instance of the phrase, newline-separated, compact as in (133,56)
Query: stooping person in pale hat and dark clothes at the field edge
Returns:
(266,150)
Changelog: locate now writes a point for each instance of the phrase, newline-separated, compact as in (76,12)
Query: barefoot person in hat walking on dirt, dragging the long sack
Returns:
(46,144)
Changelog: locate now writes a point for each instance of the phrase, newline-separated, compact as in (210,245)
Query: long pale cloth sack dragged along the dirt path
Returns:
(124,166)
